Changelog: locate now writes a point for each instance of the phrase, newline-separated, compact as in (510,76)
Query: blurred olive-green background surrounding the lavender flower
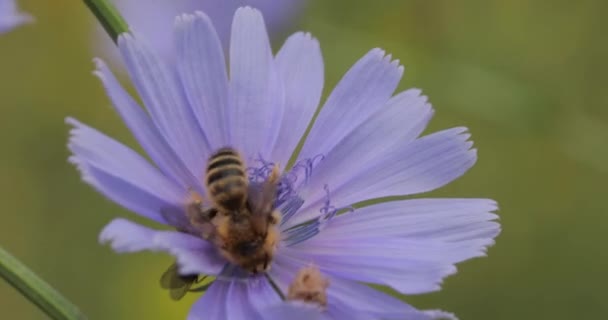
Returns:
(527,78)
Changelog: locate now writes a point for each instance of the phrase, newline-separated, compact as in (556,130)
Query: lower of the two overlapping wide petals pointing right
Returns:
(409,265)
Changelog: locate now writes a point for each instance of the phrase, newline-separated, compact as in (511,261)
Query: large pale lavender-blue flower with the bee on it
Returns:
(366,143)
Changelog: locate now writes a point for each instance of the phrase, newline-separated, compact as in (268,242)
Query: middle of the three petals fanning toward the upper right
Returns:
(399,122)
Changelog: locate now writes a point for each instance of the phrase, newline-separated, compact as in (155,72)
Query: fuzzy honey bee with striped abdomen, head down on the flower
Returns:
(241,221)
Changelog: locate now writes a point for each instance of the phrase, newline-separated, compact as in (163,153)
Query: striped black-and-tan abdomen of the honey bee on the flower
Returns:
(227,179)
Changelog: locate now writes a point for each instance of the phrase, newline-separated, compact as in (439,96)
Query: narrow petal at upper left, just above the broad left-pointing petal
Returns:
(144,130)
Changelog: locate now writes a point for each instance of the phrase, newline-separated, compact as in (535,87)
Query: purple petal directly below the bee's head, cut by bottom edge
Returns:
(237,299)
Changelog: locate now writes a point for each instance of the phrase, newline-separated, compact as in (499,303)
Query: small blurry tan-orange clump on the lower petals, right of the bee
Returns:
(309,286)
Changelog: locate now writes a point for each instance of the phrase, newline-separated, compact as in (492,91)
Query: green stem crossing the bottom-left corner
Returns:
(36,290)
